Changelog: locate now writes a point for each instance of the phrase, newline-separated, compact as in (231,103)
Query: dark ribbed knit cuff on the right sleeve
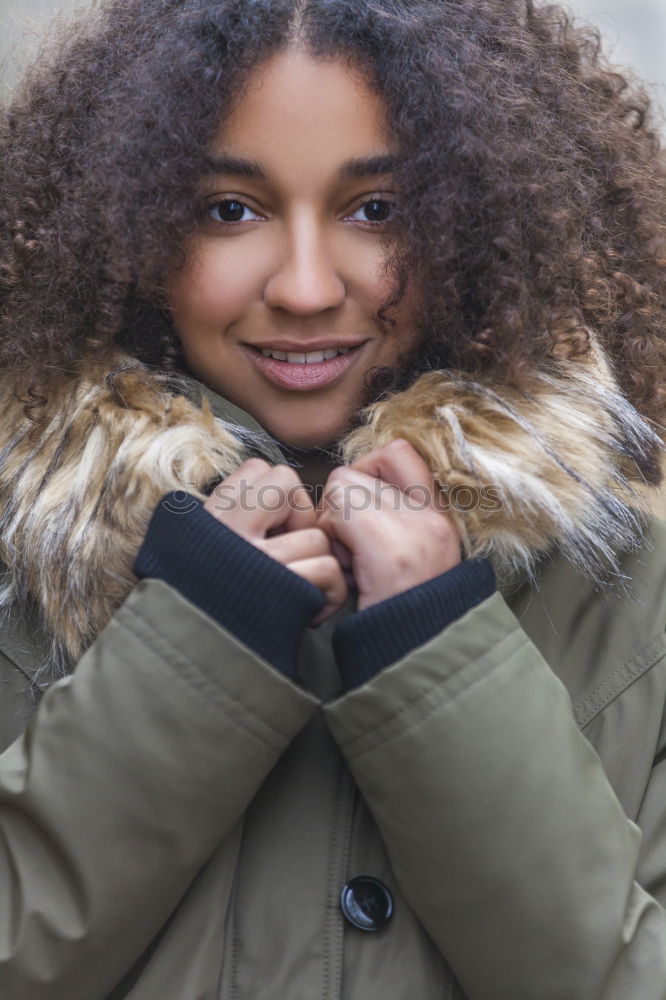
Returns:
(368,641)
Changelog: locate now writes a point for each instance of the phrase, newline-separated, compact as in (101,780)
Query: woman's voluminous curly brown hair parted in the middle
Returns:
(532,185)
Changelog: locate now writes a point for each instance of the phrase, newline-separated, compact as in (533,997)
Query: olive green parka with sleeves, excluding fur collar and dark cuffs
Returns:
(178,819)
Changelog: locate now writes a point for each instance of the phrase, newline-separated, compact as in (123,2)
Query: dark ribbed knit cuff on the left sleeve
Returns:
(262,602)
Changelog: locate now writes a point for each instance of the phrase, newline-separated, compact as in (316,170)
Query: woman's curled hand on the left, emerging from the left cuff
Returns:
(269,506)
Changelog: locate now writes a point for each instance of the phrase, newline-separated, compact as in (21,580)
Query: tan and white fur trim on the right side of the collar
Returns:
(557,460)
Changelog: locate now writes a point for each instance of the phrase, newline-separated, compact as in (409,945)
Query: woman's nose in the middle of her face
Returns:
(306,280)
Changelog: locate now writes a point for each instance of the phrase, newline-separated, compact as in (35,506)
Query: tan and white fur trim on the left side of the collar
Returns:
(78,488)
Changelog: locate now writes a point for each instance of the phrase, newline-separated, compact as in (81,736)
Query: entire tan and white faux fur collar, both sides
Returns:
(540,469)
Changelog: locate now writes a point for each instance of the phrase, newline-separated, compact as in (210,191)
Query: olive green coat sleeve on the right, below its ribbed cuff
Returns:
(502,828)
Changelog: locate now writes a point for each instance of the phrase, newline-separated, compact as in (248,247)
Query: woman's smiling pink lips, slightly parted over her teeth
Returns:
(299,373)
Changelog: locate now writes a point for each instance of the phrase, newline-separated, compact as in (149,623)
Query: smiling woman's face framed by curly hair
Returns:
(289,255)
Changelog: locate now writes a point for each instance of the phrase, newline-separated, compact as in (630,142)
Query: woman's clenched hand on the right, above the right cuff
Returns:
(384,515)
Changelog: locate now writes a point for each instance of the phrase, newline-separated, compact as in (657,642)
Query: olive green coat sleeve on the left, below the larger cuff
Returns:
(130,773)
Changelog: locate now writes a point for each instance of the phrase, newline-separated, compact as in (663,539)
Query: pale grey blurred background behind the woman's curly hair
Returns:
(635,31)
